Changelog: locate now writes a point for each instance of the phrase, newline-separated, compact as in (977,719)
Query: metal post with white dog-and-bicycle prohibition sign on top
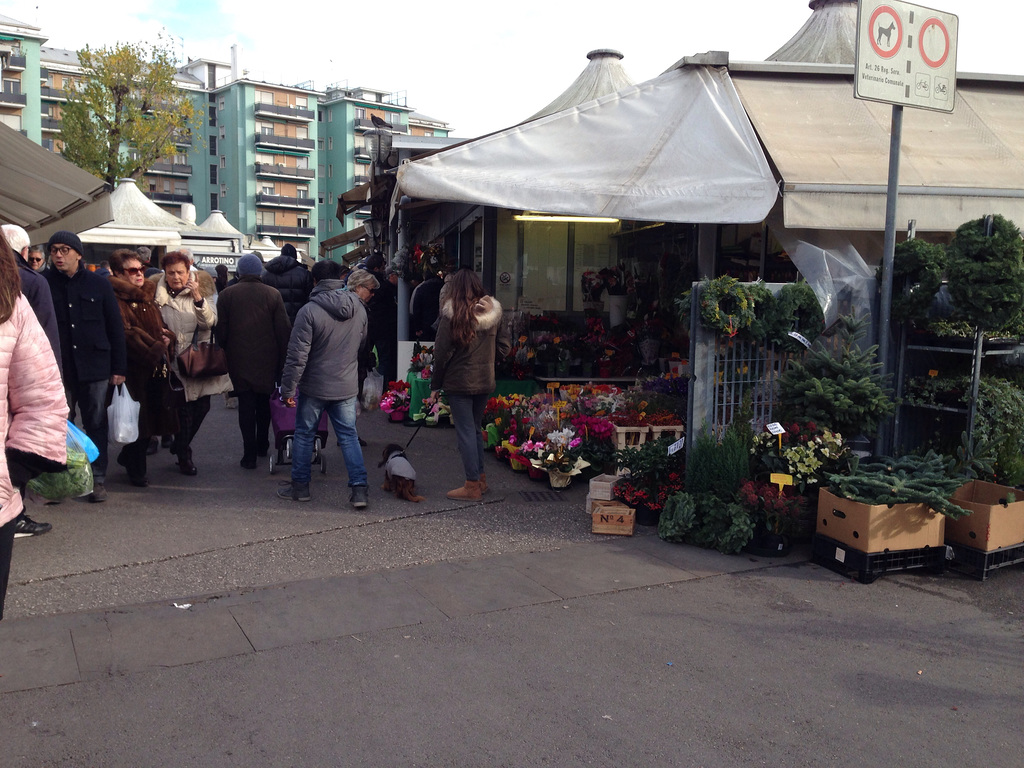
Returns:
(907,56)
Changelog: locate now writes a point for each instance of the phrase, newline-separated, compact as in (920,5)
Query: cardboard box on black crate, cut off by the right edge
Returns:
(995,523)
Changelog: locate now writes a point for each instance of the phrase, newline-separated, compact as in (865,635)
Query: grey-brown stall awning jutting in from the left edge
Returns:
(44,193)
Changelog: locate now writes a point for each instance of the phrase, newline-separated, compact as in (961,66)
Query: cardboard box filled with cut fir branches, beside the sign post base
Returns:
(879,528)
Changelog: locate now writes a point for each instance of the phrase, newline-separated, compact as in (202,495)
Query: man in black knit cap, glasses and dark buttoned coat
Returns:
(93,343)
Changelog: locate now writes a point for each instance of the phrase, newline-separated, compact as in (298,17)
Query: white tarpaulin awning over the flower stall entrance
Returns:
(677,148)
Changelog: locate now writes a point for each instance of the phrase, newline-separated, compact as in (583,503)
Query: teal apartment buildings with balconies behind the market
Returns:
(273,158)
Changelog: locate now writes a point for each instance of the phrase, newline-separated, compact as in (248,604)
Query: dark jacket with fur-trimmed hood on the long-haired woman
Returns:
(471,370)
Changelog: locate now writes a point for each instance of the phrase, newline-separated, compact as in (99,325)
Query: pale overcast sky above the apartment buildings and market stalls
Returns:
(481,66)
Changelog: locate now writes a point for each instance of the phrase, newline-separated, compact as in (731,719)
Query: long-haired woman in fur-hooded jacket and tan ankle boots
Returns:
(470,336)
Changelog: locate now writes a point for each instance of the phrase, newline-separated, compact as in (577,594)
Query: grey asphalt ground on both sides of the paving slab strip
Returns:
(778,666)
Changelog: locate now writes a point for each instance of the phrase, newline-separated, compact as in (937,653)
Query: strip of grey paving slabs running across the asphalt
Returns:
(37,653)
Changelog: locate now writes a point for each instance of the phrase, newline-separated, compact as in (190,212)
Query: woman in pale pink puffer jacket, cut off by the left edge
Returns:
(34,412)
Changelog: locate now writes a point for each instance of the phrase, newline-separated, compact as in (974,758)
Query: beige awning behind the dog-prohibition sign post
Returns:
(833,151)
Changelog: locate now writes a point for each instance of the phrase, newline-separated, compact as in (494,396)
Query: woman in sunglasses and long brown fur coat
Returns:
(147,342)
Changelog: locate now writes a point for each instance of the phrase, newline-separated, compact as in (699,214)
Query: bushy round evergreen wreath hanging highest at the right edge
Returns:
(987,274)
